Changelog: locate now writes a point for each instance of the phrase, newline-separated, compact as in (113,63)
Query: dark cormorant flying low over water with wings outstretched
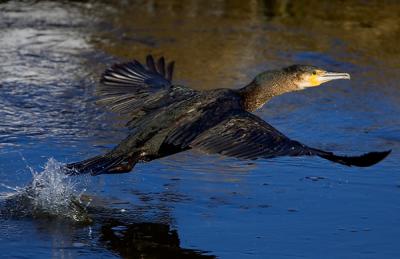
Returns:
(167,118)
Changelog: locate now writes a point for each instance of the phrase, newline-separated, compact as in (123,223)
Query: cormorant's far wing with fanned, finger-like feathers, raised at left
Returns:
(132,87)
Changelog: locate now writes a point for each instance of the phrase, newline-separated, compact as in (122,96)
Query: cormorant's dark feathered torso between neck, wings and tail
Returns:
(170,129)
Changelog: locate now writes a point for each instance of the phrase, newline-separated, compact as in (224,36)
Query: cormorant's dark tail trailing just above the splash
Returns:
(109,163)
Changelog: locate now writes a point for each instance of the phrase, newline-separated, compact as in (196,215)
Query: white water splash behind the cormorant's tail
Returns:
(50,194)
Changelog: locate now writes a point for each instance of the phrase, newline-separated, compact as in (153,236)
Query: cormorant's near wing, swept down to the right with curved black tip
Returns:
(248,137)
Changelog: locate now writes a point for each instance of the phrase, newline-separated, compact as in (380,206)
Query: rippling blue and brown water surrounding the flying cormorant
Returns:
(193,205)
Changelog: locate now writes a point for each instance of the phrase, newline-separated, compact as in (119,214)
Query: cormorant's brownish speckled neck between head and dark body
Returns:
(263,88)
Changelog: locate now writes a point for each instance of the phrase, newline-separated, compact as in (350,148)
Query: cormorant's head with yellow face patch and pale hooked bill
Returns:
(305,76)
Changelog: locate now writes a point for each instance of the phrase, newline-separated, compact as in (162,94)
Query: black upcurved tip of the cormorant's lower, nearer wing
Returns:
(364,160)
